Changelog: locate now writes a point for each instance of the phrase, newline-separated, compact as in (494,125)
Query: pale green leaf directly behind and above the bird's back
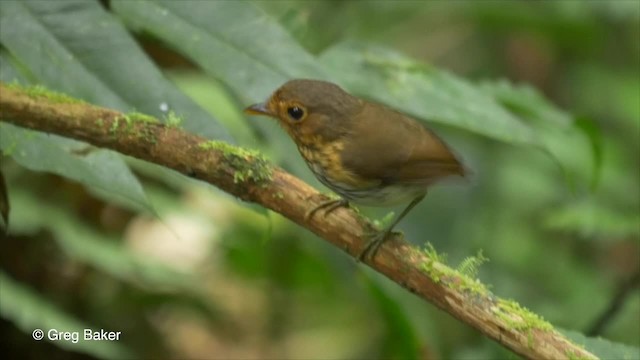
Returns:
(422,91)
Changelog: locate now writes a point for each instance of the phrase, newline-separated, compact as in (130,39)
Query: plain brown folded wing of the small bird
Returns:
(393,147)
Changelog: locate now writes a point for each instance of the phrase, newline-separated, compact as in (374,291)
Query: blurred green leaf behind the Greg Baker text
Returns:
(30,311)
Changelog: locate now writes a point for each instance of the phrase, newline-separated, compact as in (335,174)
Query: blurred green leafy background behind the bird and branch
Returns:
(541,99)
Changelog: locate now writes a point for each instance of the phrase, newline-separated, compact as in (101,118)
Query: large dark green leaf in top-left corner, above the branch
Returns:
(78,48)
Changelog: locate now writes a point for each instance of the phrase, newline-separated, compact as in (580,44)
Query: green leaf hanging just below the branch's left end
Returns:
(99,169)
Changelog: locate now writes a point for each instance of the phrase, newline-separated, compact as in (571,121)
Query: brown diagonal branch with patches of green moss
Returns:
(250,177)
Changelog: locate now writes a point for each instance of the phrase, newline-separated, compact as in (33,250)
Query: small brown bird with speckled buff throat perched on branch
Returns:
(366,152)
